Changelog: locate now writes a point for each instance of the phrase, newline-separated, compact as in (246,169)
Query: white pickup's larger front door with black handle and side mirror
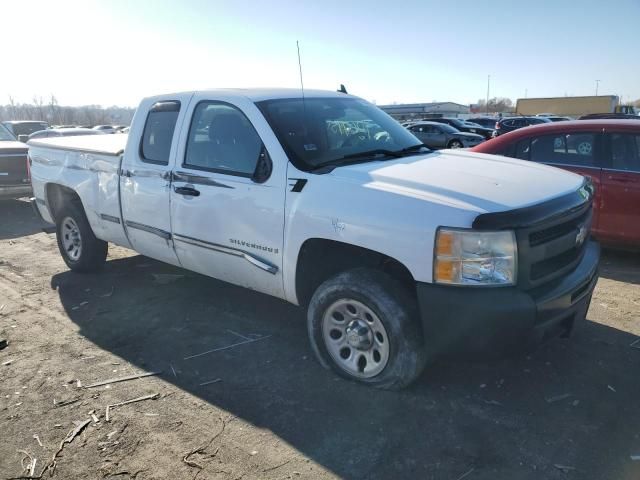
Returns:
(228,222)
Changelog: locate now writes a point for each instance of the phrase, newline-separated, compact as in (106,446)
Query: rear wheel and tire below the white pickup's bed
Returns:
(79,247)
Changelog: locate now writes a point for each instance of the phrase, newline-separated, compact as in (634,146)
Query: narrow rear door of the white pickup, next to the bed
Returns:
(145,178)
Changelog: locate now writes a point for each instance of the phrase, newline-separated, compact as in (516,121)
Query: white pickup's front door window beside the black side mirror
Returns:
(221,139)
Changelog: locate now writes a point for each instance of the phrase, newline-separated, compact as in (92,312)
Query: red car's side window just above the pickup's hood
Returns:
(566,149)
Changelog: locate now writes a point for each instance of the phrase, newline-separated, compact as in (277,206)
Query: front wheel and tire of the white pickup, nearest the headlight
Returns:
(377,315)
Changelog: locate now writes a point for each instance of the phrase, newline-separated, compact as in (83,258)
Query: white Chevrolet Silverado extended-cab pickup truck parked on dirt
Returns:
(399,253)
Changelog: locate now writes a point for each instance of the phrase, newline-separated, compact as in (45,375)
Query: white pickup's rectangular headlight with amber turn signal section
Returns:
(469,257)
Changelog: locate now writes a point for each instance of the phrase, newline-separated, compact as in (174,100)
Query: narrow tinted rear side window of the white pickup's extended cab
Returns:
(158,132)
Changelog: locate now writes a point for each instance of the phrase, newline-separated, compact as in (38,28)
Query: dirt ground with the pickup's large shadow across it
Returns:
(570,410)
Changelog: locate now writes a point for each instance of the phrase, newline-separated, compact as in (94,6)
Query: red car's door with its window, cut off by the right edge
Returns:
(620,212)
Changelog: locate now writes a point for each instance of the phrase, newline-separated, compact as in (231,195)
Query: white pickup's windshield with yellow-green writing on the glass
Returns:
(321,131)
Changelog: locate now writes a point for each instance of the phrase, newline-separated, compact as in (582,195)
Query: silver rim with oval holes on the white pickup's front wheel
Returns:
(355,338)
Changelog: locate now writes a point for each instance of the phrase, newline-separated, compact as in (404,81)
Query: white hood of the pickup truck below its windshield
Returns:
(471,181)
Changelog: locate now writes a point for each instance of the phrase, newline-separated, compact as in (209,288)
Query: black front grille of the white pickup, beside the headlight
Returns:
(549,250)
